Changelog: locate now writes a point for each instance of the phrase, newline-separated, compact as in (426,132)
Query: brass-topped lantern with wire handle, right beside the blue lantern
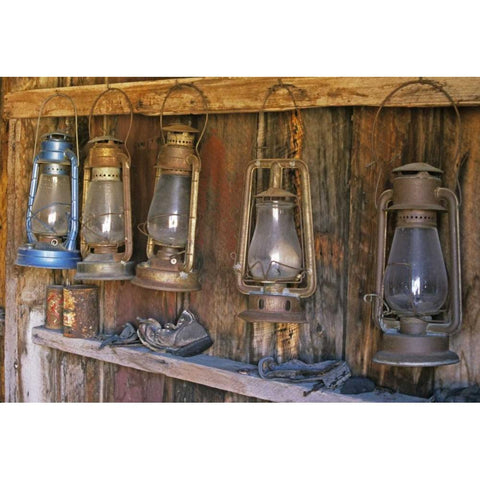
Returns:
(106,235)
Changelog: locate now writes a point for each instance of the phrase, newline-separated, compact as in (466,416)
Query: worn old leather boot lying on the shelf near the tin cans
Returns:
(185,338)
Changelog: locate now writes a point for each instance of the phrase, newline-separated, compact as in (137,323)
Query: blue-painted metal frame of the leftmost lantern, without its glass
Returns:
(56,148)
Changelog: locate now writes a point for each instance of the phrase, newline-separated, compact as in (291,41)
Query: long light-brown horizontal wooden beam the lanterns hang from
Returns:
(242,95)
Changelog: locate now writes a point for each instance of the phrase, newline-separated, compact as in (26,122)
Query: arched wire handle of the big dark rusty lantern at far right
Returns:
(436,86)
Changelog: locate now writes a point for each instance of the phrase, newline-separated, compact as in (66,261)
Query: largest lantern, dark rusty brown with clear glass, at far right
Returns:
(418,302)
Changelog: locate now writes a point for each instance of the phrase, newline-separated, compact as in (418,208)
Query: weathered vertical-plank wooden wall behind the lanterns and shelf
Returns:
(337,150)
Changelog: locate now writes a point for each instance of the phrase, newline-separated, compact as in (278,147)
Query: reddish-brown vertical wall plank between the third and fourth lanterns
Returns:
(225,152)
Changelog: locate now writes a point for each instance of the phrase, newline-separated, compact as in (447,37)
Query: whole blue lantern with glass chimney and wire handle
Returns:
(52,211)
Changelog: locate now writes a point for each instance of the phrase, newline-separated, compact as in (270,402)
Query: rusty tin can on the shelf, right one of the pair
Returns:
(80,311)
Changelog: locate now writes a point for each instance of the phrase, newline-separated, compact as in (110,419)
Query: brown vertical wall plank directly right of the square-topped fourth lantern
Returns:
(327,150)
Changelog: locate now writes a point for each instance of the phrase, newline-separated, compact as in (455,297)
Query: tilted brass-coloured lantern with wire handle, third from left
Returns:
(172,215)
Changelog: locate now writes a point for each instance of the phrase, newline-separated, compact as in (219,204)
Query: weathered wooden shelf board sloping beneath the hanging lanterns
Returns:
(215,372)
